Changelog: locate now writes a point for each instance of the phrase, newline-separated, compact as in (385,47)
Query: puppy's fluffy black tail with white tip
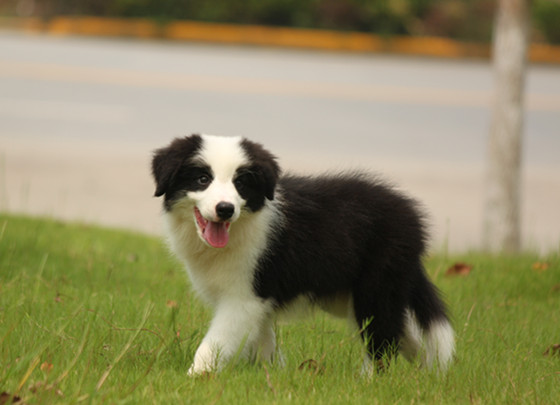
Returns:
(428,332)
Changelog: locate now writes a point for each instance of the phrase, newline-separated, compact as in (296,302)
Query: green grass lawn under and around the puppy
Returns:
(91,315)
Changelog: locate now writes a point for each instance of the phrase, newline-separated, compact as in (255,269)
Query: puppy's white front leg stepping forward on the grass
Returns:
(236,329)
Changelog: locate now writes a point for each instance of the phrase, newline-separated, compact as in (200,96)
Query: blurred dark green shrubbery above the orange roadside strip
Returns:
(469,20)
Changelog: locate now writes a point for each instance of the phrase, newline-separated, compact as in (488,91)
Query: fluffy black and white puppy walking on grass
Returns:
(256,244)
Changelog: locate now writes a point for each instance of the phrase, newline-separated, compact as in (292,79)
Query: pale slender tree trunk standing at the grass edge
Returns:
(503,176)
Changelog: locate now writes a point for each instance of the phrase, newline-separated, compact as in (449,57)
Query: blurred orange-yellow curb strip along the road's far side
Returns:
(267,36)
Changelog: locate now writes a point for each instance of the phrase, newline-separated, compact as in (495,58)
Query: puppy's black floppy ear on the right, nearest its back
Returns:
(264,163)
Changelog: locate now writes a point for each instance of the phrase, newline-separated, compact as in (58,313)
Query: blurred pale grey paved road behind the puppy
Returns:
(79,118)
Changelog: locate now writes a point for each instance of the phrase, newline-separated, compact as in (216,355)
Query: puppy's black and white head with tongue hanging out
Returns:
(216,178)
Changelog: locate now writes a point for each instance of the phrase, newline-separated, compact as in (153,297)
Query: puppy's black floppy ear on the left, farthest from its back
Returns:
(167,161)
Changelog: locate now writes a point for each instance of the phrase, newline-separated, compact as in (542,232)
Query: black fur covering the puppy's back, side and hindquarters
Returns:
(351,234)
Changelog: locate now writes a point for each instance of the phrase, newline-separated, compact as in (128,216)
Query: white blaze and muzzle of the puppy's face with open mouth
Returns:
(224,155)
